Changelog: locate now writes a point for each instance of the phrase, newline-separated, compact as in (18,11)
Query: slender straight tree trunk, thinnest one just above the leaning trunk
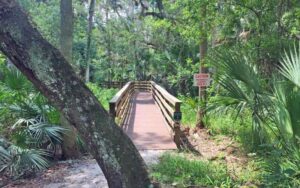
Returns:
(88,43)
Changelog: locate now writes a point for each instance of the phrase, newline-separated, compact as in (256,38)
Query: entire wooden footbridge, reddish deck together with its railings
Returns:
(147,113)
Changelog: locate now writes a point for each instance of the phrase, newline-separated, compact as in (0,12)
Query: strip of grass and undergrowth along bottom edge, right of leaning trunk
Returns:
(184,170)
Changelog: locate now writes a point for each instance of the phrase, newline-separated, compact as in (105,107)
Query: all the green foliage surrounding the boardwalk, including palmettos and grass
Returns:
(254,96)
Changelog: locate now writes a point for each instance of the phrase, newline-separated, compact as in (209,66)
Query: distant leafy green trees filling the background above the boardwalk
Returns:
(128,43)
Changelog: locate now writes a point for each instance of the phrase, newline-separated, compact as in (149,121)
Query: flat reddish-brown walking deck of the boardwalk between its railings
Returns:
(145,124)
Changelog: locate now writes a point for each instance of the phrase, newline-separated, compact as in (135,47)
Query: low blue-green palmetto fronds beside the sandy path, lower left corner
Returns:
(34,141)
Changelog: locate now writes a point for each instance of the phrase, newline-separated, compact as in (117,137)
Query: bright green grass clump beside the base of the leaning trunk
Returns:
(177,170)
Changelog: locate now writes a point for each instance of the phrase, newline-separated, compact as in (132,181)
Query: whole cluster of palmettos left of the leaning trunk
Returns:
(33,138)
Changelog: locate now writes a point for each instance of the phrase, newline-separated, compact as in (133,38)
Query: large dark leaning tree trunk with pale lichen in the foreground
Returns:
(49,71)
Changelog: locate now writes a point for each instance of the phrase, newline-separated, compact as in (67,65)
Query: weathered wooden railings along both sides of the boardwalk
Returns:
(119,105)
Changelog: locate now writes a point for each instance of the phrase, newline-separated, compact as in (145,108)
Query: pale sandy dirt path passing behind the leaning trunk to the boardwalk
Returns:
(76,174)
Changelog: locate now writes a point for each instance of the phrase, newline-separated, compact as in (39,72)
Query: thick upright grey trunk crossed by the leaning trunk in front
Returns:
(70,147)
